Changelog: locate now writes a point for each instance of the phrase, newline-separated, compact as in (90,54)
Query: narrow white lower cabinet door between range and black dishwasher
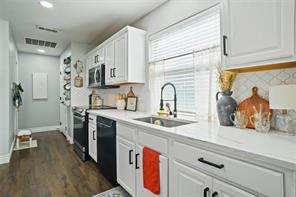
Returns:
(92,141)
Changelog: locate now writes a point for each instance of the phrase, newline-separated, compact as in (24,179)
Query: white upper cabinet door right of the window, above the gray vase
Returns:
(257,30)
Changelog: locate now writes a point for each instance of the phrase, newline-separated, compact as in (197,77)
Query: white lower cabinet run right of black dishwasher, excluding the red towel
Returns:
(188,170)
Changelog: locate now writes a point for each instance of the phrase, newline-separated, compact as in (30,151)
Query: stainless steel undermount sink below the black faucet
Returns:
(165,122)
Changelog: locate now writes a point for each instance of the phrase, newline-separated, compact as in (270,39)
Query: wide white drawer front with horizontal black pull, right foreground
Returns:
(262,180)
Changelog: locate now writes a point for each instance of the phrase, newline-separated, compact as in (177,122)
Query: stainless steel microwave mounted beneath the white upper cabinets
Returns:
(96,76)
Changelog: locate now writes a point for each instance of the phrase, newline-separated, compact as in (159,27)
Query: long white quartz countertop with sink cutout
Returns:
(280,149)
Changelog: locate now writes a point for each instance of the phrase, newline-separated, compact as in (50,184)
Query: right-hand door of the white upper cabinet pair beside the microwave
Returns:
(120,62)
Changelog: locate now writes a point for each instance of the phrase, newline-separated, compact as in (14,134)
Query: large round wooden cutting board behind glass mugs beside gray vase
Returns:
(254,100)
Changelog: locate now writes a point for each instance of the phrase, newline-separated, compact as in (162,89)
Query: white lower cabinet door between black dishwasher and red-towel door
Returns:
(125,159)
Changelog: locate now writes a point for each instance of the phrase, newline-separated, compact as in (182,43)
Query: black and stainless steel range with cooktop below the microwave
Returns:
(80,128)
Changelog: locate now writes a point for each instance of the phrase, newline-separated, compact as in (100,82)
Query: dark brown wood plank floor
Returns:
(52,169)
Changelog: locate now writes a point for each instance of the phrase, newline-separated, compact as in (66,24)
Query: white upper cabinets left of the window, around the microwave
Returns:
(124,56)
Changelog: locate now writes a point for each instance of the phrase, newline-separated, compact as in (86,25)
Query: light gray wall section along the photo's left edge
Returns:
(8,74)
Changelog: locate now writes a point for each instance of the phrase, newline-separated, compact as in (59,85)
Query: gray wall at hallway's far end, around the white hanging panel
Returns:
(39,113)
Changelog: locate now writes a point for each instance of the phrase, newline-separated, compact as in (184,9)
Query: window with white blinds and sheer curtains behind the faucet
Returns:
(187,55)
